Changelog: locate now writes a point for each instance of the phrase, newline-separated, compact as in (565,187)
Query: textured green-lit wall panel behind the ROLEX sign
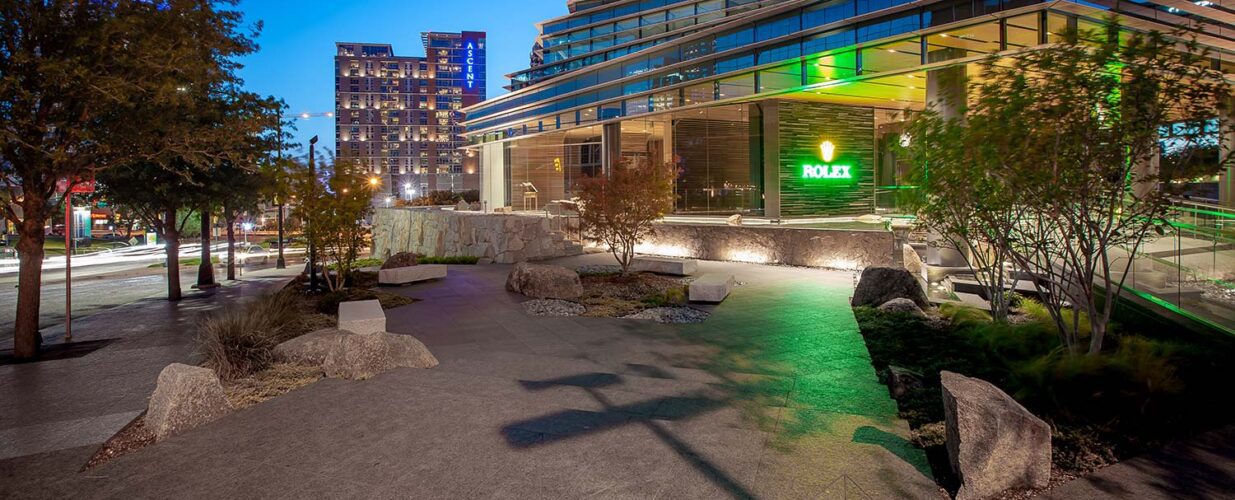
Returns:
(852,130)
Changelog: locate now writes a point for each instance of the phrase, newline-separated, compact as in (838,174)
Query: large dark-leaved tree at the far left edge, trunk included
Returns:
(75,77)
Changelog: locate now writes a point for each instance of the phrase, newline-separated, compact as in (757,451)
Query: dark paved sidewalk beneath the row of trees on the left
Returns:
(82,402)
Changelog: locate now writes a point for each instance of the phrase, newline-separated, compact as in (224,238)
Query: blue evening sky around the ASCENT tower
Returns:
(297,57)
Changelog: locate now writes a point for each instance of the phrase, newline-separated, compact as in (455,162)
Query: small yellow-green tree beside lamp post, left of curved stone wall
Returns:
(335,215)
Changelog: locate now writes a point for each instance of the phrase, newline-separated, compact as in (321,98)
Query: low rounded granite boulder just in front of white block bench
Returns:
(361,356)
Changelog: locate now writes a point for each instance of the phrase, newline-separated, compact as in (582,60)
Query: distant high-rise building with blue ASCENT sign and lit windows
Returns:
(400,117)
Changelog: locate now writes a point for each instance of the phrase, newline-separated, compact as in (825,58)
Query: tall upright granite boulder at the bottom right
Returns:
(994,443)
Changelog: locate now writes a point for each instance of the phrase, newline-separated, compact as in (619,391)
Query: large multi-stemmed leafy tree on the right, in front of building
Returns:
(1064,144)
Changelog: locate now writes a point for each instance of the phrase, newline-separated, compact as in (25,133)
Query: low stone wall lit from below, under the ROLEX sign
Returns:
(823,249)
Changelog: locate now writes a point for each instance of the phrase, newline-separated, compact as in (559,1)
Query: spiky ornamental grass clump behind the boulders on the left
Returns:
(239,341)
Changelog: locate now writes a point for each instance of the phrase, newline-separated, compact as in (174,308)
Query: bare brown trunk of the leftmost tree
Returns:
(30,254)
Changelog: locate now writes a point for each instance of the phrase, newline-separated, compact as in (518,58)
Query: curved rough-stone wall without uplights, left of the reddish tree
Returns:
(501,238)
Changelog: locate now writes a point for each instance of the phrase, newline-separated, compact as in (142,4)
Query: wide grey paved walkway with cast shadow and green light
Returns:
(774,397)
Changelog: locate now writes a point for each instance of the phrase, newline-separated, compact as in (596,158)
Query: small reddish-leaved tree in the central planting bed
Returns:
(619,210)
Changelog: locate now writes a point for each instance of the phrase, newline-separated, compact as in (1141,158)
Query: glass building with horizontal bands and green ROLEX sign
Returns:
(777,109)
